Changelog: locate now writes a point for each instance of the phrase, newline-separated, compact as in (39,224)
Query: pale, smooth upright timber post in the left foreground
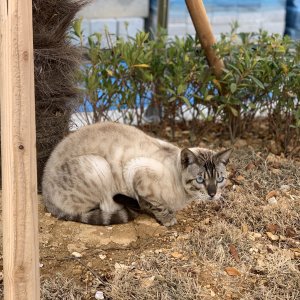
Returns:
(19,196)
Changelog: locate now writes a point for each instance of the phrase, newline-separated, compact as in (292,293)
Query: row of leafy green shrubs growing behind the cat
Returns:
(261,78)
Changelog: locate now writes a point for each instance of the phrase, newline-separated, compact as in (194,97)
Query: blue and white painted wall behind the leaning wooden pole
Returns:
(251,15)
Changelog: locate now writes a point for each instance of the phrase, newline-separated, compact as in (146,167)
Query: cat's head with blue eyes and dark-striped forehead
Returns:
(204,172)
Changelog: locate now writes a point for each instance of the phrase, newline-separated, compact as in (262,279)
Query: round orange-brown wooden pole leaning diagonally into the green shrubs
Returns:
(204,31)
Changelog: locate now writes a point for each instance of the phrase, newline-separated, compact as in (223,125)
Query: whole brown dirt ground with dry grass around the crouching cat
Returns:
(244,247)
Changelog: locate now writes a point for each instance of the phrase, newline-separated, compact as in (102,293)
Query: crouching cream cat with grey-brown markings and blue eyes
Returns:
(106,173)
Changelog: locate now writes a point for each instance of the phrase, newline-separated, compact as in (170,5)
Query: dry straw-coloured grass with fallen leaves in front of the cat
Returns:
(191,264)
